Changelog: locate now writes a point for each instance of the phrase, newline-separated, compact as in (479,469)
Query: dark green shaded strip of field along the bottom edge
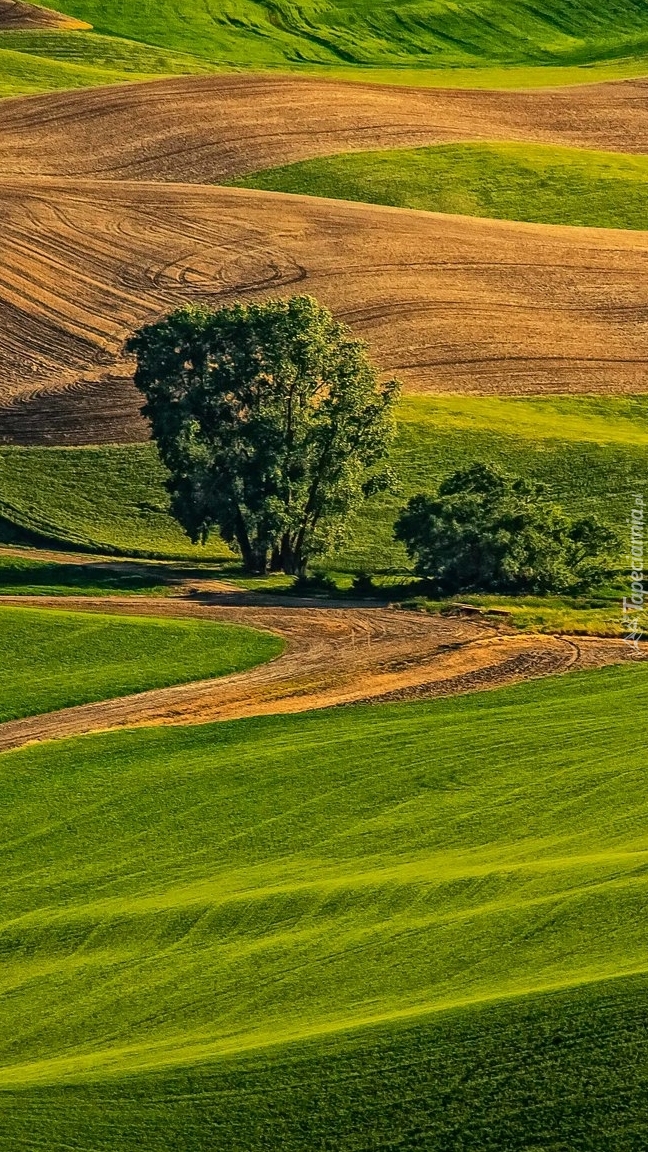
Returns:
(566,1071)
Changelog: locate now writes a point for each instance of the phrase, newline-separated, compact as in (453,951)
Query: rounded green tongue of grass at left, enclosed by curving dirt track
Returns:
(51,660)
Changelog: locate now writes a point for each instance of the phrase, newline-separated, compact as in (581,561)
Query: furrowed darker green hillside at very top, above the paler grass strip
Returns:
(421,33)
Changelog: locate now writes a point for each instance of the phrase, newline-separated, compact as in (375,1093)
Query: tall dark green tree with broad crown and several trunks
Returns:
(273,425)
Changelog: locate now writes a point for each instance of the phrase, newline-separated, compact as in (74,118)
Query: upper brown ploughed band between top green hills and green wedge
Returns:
(204,130)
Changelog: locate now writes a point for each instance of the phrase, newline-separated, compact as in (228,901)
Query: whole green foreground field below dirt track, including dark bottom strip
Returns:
(291,933)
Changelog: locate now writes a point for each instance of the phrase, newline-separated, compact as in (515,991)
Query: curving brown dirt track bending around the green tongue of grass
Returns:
(334,656)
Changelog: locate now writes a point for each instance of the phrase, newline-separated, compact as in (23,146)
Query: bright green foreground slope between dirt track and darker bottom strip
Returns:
(289,878)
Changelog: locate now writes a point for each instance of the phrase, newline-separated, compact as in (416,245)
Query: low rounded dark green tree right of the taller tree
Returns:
(486,532)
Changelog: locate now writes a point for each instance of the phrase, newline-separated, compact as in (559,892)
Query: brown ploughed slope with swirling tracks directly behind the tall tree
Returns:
(449,304)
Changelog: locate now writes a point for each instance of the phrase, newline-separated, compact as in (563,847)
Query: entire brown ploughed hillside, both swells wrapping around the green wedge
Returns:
(99,237)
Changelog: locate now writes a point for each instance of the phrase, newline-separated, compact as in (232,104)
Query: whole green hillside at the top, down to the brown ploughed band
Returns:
(431,42)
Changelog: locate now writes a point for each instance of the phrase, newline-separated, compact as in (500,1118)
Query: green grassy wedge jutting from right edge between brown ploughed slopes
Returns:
(507,181)
